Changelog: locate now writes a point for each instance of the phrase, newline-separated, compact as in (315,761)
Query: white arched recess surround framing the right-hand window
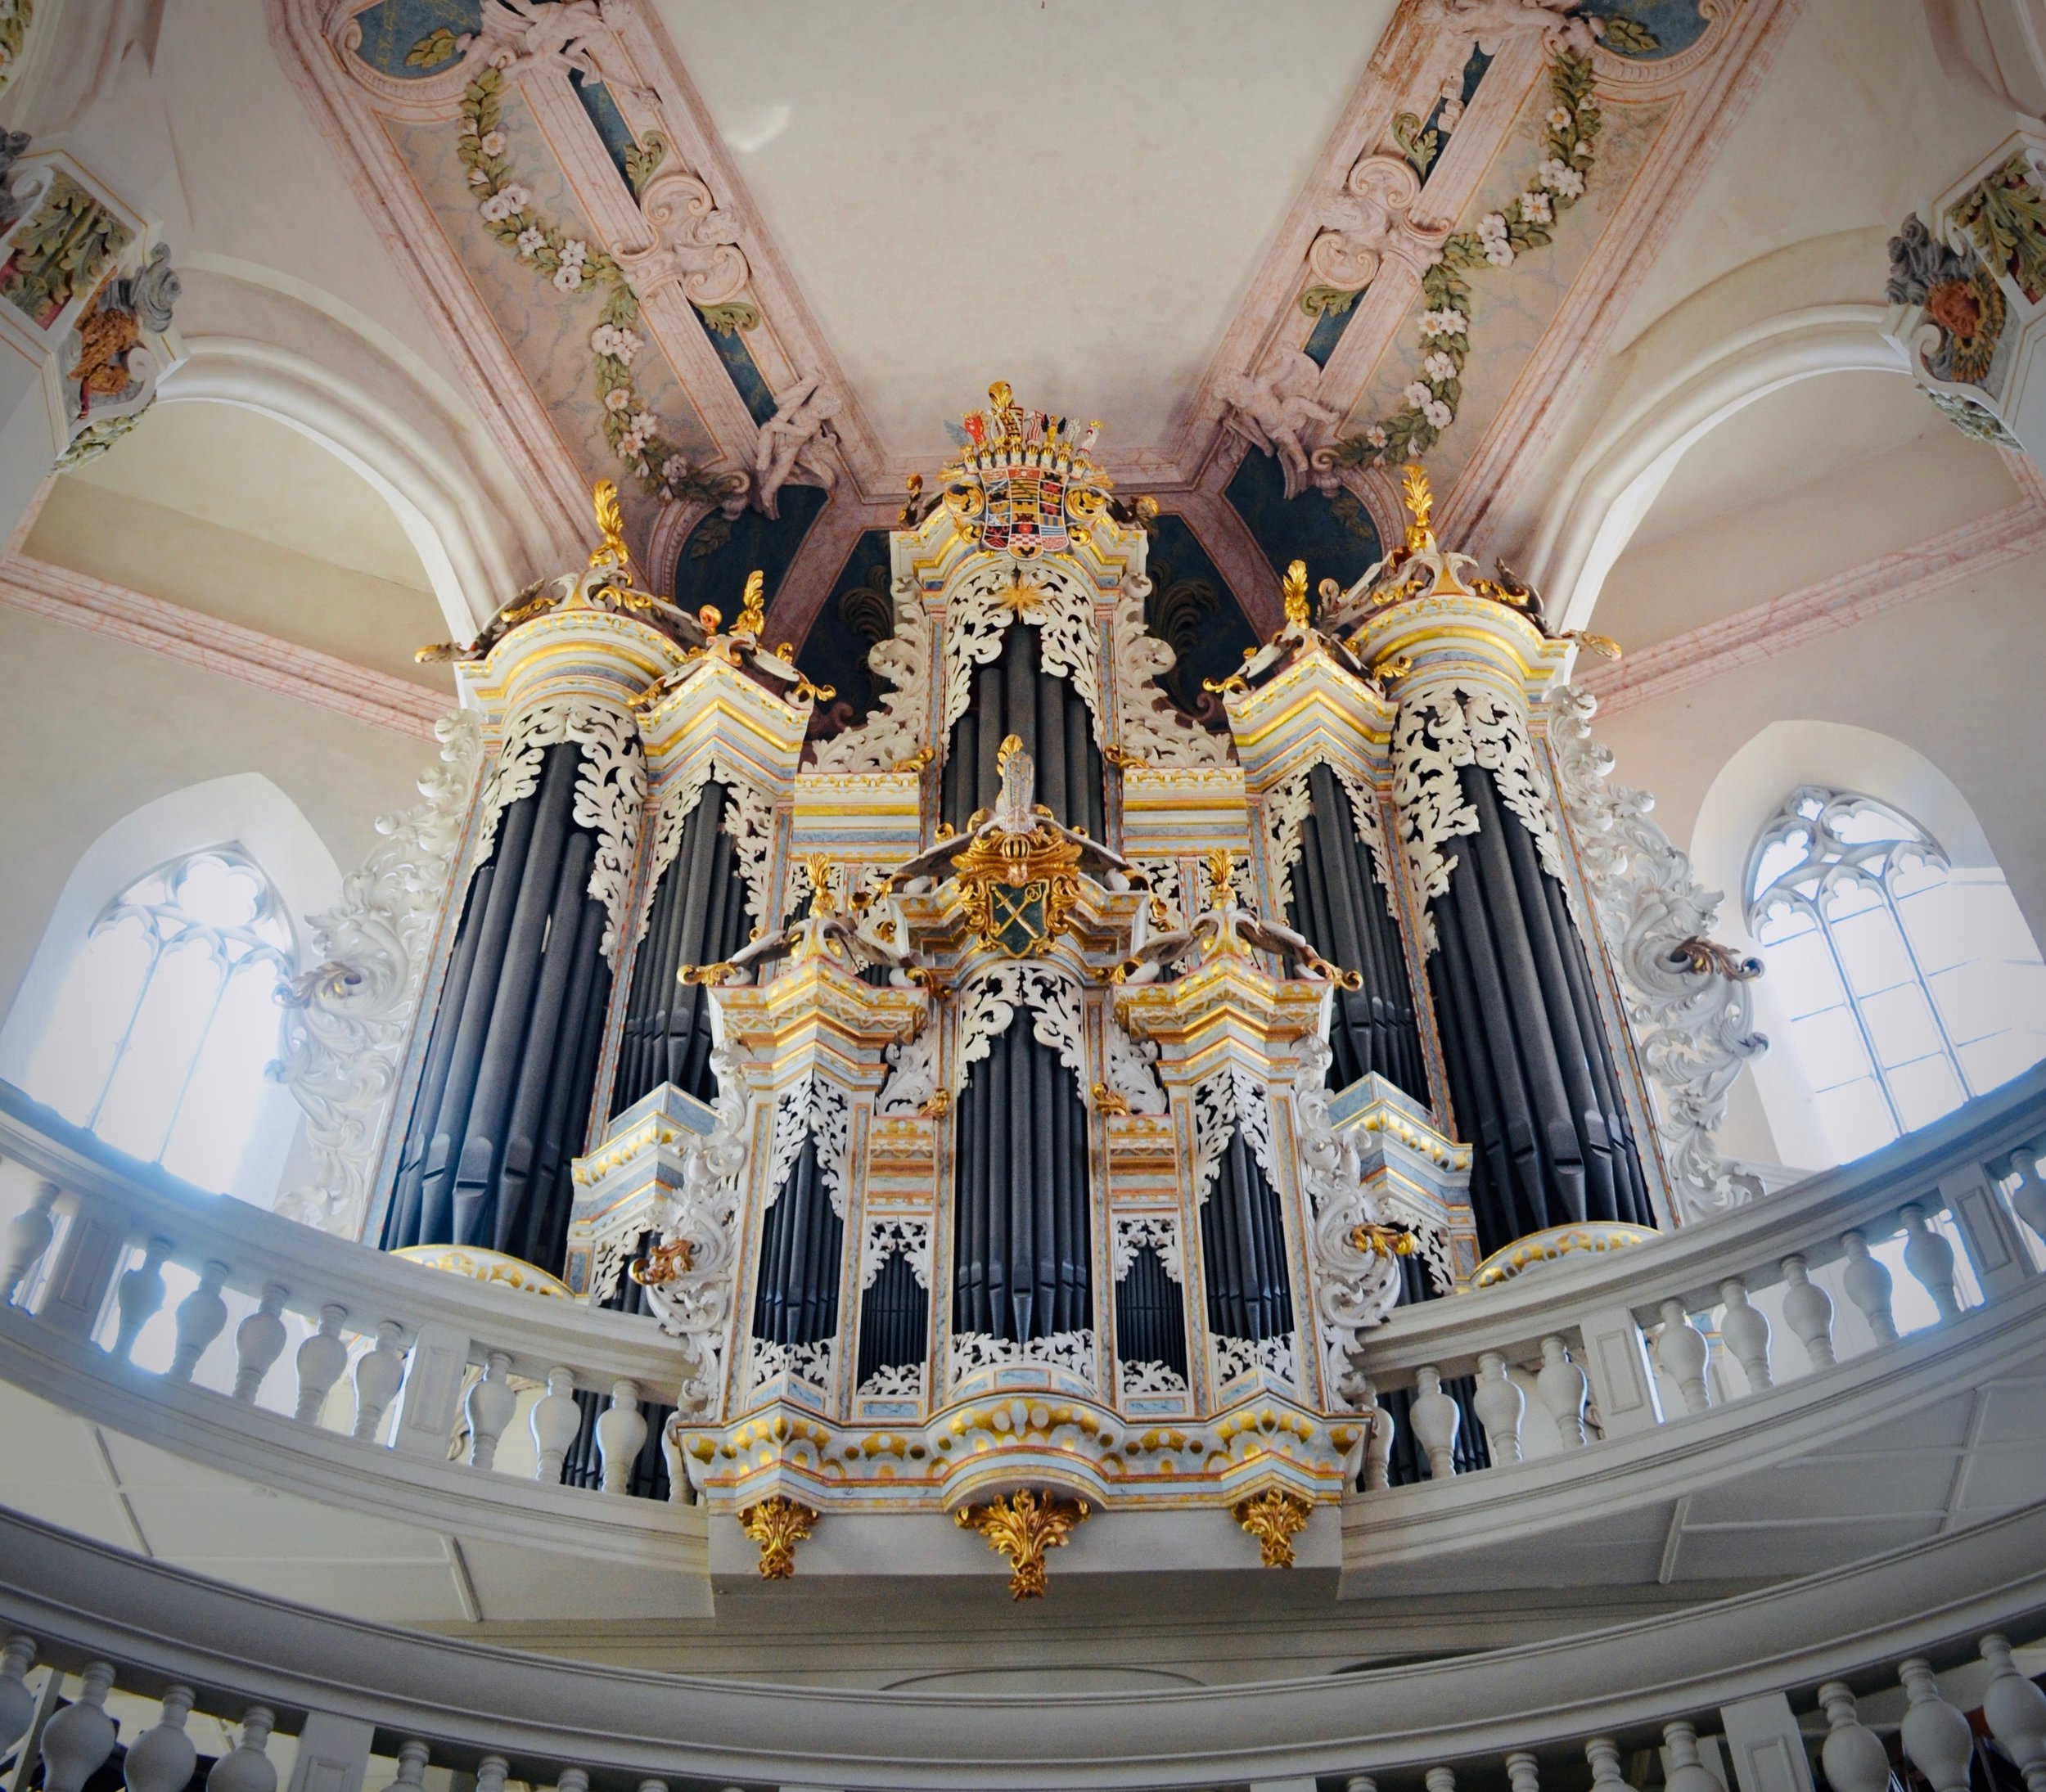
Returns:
(1740,803)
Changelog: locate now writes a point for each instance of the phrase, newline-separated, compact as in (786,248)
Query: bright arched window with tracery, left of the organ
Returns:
(169,1016)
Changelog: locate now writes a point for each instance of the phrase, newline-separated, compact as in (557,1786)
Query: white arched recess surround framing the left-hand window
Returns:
(244,811)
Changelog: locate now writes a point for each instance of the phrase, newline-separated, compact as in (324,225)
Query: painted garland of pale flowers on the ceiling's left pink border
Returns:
(506,210)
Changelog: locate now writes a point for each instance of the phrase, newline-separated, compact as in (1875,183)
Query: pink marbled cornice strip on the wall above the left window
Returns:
(220,647)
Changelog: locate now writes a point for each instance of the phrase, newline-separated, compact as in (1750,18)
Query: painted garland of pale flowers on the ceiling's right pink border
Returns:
(1445,322)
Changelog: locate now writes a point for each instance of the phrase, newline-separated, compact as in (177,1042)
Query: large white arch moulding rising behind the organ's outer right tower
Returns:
(1624,469)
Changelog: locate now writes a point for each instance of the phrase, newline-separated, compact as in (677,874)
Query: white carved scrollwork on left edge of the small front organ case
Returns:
(703,1214)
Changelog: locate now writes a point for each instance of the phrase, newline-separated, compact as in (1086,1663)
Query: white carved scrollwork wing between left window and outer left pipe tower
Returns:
(347,1022)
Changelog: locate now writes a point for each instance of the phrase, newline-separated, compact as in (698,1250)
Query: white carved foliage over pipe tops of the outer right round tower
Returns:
(1437,733)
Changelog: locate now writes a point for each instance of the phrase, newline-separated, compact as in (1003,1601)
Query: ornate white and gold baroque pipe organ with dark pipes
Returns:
(1024,1104)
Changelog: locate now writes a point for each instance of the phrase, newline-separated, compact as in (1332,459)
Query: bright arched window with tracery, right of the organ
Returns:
(1910,985)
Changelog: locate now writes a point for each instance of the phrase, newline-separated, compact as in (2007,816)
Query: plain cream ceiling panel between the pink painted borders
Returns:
(952,212)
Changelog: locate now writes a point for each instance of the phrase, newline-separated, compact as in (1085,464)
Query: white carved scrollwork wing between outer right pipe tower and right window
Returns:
(1693,1020)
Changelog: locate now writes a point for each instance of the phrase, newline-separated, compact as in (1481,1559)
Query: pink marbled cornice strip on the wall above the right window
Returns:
(1861,594)
